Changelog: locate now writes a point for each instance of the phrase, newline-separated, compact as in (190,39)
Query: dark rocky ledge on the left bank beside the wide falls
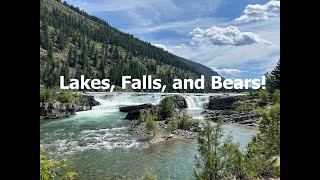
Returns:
(55,109)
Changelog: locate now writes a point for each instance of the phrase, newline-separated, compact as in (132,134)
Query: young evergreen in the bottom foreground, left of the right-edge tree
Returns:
(216,160)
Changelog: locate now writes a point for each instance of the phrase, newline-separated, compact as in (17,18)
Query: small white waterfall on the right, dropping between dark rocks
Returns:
(196,101)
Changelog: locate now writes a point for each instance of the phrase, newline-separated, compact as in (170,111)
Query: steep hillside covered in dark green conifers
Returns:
(74,43)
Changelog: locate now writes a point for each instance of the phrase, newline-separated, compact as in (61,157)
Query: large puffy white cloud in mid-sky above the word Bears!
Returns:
(230,35)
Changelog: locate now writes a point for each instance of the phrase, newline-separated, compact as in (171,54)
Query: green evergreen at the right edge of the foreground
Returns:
(265,146)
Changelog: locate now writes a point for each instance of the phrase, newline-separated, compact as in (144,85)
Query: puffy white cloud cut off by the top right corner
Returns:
(256,12)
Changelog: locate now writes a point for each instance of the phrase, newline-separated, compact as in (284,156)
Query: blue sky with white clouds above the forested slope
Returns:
(236,38)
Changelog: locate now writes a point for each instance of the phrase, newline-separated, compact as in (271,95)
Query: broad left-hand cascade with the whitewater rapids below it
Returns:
(100,128)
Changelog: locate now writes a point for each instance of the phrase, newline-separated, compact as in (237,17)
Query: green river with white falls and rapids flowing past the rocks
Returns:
(97,141)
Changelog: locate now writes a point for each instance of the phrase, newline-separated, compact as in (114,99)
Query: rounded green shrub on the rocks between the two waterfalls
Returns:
(166,108)
